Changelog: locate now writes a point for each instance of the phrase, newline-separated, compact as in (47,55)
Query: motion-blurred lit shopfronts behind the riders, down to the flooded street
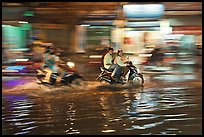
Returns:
(152,34)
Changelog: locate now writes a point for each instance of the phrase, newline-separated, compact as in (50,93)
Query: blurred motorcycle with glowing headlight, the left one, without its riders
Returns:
(70,77)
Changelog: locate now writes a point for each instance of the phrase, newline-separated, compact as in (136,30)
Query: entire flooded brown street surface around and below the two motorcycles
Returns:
(167,104)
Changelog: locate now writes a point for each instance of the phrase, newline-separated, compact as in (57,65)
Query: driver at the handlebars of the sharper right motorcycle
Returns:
(122,61)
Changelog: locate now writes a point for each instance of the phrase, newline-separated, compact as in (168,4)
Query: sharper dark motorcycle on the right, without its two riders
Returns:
(134,76)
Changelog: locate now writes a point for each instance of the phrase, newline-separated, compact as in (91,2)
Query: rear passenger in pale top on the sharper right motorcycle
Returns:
(108,64)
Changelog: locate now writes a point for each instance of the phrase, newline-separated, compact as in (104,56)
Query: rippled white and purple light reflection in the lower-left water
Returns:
(19,116)
